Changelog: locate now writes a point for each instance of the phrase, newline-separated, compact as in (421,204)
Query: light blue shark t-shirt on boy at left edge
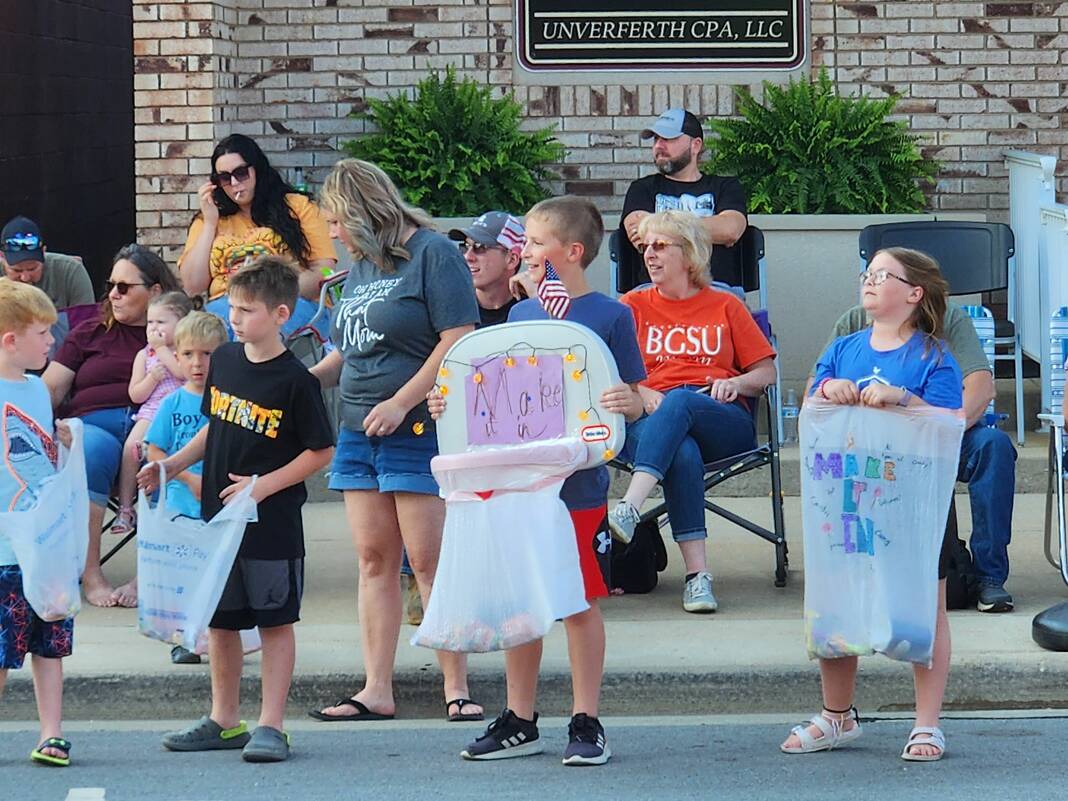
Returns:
(30,451)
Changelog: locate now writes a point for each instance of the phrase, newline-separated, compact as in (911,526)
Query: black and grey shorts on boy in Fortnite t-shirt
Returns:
(260,592)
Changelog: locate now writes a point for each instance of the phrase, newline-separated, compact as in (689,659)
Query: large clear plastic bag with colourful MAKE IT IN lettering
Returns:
(876,486)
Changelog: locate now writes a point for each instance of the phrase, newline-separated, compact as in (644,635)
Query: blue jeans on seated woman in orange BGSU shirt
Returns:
(674,444)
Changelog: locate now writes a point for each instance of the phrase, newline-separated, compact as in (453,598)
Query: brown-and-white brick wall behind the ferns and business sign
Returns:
(978,78)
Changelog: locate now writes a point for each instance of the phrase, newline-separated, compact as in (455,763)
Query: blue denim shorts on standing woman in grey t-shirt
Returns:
(400,463)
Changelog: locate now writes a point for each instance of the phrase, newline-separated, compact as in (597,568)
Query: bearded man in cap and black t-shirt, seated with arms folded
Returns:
(679,184)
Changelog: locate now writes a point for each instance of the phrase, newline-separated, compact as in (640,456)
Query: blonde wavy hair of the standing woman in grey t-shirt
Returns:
(370,208)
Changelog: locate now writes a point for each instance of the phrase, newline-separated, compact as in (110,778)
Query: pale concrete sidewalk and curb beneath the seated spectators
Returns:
(749,657)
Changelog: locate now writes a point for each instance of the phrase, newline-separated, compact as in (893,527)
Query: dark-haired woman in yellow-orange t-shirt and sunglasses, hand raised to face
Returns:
(247,210)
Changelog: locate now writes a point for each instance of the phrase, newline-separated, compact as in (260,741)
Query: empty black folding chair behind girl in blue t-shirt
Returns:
(975,258)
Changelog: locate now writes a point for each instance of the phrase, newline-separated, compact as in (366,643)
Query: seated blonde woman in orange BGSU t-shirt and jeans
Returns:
(704,356)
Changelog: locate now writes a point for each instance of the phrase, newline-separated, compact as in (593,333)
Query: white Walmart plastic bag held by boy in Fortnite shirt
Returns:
(183,566)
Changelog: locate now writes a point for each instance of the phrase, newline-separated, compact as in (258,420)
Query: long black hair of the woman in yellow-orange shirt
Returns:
(270,209)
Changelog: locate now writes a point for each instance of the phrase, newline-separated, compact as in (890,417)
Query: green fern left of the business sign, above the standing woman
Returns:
(457,151)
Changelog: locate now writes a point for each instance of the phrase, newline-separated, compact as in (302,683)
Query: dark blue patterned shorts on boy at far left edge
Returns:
(22,632)
